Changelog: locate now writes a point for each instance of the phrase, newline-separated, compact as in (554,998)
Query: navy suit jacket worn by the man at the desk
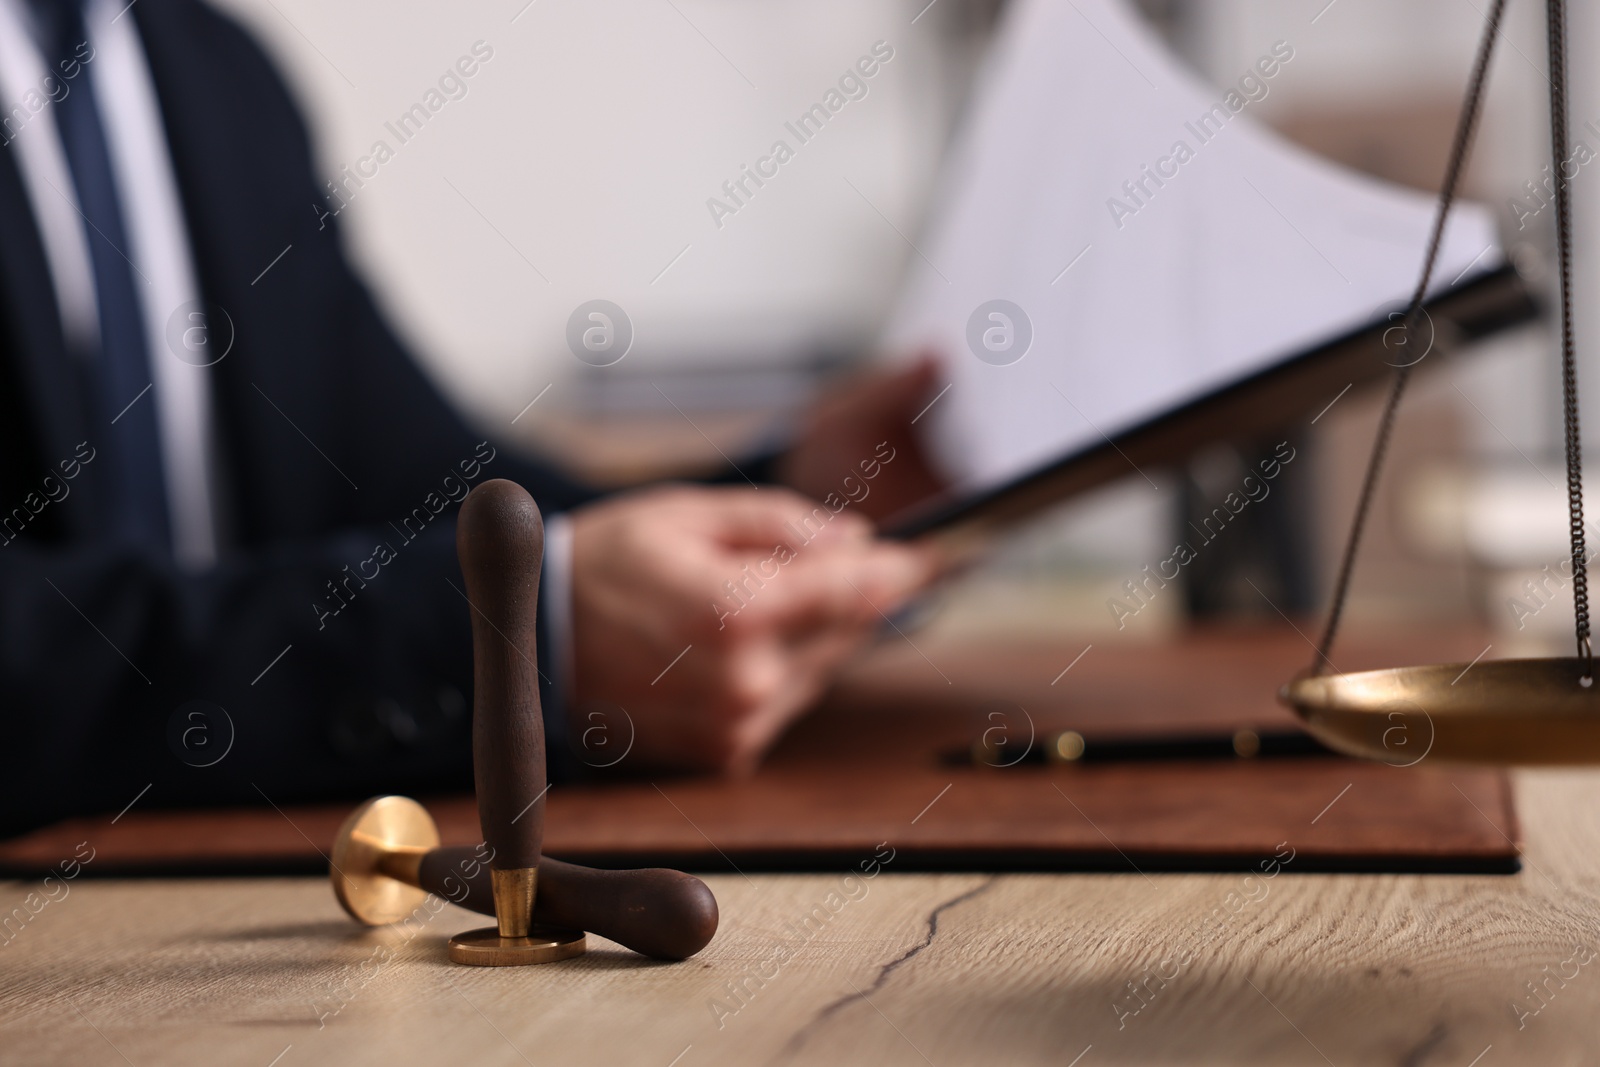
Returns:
(334,444)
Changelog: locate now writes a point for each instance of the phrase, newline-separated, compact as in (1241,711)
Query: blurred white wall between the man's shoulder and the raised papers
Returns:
(582,159)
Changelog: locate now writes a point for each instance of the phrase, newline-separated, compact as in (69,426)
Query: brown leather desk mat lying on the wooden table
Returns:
(874,770)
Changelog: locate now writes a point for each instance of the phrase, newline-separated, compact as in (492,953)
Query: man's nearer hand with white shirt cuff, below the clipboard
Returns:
(716,617)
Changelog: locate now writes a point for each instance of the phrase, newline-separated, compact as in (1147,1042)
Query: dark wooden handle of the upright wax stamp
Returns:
(500,541)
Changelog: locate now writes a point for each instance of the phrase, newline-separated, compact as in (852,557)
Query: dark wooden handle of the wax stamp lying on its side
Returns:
(662,914)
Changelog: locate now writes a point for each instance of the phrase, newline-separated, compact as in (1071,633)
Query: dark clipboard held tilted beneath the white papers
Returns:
(1268,401)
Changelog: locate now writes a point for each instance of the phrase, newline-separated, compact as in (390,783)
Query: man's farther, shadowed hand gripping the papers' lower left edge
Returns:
(854,428)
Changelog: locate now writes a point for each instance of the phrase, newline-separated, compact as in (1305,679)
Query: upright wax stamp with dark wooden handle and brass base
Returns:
(500,541)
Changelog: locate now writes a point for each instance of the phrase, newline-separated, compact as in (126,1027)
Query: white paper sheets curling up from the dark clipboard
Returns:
(1118,238)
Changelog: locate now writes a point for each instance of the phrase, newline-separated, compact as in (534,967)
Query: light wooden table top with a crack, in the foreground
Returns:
(894,970)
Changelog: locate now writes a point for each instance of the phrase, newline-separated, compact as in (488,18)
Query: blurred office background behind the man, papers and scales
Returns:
(580,161)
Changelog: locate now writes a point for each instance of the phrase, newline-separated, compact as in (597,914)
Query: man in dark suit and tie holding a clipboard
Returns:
(226,490)
